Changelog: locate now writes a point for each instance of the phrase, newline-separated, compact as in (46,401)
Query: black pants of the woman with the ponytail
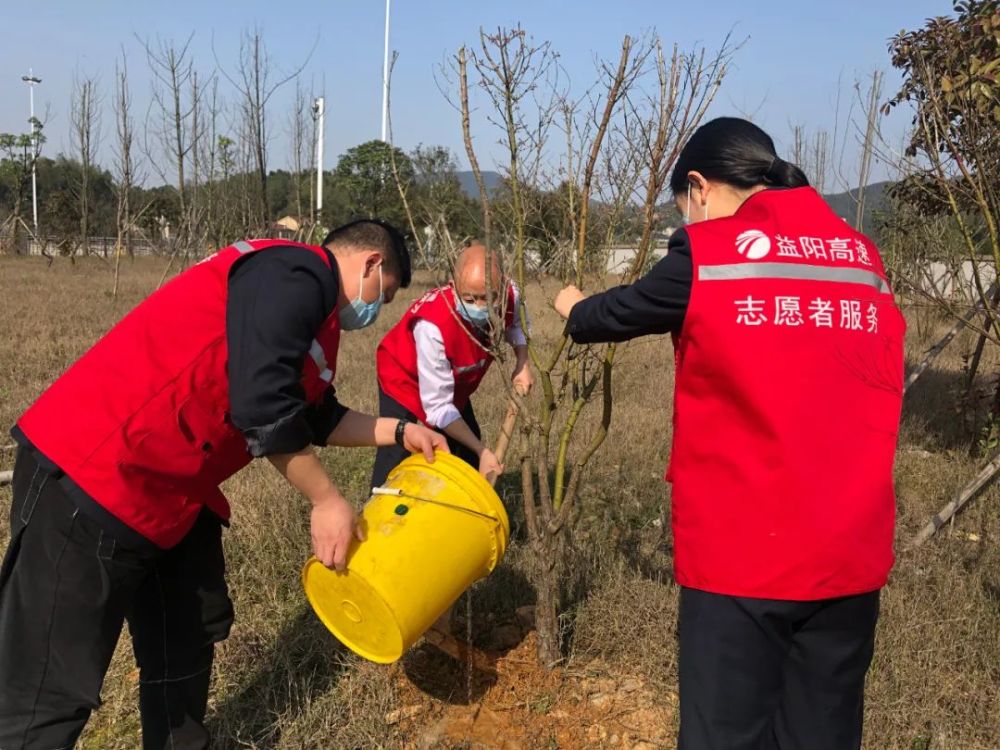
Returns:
(762,674)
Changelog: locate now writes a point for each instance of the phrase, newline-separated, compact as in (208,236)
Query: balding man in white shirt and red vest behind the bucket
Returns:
(433,360)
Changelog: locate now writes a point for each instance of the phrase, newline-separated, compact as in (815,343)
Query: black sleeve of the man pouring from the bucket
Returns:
(278,299)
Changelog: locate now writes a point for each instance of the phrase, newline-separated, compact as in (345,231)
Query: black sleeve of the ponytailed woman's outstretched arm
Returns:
(656,303)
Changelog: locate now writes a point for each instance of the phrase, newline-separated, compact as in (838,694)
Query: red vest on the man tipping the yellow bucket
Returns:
(140,422)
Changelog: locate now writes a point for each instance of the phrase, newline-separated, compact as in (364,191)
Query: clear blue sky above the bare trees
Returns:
(787,72)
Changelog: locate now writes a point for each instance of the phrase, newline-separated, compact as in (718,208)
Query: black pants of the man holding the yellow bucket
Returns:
(66,587)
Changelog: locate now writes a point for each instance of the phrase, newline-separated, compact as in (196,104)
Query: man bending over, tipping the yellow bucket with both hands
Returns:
(117,513)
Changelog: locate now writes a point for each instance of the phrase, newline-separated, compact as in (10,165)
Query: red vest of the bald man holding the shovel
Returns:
(465,346)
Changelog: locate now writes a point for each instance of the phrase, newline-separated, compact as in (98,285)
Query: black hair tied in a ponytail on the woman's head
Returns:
(735,152)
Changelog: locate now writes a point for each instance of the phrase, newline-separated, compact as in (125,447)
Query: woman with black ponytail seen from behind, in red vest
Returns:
(788,389)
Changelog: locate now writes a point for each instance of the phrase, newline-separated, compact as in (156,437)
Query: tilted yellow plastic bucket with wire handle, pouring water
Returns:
(433,530)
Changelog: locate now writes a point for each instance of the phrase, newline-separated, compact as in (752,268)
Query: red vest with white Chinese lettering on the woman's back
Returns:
(787,404)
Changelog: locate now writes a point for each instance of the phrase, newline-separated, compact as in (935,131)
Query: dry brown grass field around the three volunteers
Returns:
(281,681)
